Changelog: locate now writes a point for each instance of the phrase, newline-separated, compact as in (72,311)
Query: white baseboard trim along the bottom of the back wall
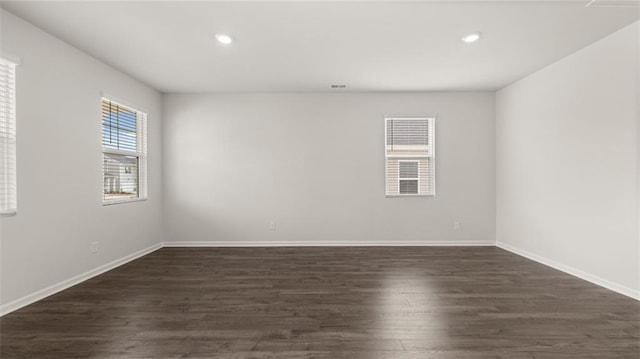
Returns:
(327,244)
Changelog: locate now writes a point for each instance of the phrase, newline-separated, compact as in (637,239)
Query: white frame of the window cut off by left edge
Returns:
(12,142)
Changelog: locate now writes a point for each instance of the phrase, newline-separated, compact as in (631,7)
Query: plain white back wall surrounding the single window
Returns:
(314,163)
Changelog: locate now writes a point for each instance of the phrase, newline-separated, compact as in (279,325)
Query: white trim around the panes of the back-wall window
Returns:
(431,155)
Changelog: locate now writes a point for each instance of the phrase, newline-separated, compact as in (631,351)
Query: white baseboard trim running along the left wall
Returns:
(43,293)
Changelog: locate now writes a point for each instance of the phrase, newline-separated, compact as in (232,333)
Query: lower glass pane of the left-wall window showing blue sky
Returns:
(120,176)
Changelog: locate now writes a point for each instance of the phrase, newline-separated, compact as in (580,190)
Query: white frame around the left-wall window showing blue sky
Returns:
(140,153)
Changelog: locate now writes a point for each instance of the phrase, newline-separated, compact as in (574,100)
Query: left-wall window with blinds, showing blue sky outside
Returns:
(124,153)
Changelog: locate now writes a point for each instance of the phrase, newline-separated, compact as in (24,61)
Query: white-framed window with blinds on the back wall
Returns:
(409,157)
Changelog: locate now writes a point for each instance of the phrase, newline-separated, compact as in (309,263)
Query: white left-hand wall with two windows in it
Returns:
(60,166)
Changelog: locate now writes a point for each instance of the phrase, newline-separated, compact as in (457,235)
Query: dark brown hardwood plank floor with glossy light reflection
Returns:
(329,302)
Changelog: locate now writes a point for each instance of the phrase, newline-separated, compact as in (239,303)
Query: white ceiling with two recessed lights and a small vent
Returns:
(307,46)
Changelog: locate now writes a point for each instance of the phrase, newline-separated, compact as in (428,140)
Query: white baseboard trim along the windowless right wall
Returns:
(629,292)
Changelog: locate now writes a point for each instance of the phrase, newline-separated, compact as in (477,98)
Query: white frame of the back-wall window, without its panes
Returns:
(430,156)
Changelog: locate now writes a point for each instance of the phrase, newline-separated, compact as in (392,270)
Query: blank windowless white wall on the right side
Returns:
(567,163)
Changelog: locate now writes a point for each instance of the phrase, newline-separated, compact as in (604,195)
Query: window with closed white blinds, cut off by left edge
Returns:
(8,190)
